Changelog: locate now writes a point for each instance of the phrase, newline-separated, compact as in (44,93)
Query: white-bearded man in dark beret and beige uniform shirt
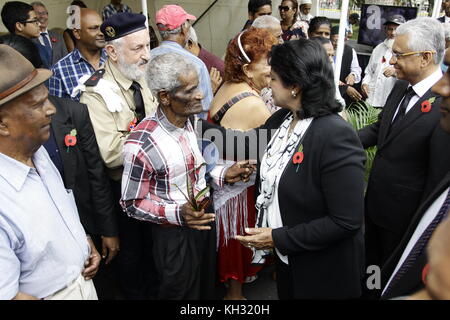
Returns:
(118,98)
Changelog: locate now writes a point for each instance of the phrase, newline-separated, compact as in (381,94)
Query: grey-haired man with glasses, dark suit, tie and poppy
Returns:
(410,160)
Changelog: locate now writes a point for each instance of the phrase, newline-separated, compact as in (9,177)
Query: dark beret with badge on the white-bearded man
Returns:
(122,24)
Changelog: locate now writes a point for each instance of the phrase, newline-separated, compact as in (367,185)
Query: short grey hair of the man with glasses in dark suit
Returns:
(424,34)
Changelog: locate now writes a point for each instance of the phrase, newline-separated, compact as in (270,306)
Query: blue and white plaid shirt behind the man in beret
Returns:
(67,71)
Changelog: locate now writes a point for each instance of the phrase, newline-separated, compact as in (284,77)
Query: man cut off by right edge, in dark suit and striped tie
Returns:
(404,272)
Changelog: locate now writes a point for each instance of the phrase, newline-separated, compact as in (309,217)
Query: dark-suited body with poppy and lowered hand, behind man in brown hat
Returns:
(73,149)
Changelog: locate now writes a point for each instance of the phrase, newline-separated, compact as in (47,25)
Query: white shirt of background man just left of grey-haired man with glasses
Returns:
(380,86)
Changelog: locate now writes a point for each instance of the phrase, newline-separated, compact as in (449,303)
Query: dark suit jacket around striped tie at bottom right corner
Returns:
(411,281)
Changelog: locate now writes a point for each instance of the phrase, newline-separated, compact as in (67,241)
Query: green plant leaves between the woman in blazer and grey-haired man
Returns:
(361,114)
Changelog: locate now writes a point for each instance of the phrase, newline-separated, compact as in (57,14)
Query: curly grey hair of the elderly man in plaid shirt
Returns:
(164,72)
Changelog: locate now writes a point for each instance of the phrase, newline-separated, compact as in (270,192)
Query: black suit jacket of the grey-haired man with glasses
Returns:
(410,161)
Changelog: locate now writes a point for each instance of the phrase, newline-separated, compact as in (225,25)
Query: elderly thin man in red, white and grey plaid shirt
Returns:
(160,155)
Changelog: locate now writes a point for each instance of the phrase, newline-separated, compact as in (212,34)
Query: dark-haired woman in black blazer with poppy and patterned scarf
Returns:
(311,182)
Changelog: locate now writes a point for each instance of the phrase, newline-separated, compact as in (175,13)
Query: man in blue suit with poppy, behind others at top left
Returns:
(52,42)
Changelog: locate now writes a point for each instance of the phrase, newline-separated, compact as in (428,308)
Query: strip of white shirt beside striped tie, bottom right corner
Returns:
(427,218)
